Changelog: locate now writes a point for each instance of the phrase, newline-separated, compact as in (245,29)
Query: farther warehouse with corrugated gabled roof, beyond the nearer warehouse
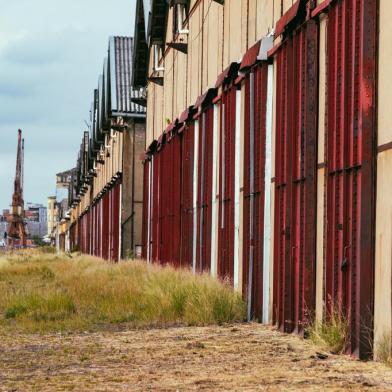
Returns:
(106,192)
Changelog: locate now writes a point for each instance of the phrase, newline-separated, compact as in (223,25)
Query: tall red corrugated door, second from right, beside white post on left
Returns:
(295,185)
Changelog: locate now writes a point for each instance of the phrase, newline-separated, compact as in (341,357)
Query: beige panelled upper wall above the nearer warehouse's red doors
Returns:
(218,35)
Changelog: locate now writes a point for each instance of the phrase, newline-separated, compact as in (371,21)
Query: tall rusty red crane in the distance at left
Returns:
(17,229)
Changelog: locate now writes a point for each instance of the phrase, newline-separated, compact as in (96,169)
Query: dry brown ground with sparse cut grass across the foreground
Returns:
(235,358)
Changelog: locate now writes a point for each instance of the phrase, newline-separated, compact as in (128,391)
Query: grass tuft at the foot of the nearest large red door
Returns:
(330,334)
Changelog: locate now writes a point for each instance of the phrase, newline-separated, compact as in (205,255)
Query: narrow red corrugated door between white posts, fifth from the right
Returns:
(204,194)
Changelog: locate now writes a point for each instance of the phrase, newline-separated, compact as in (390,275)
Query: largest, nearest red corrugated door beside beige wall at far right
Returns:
(350,158)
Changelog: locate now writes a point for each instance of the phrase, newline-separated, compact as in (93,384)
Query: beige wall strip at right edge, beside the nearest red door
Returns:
(383,273)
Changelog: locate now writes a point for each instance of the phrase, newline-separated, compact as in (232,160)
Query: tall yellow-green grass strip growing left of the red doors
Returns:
(44,292)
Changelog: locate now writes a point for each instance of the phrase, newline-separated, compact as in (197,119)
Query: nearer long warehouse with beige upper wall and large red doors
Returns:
(268,147)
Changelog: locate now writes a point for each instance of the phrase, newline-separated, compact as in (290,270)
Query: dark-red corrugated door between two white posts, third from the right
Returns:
(254,180)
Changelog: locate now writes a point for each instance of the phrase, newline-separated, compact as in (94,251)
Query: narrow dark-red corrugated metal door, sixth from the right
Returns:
(187,164)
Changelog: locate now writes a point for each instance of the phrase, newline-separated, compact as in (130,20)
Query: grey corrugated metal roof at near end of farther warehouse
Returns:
(120,76)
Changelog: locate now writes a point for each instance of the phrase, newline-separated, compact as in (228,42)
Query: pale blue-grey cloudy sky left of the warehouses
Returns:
(51,54)
